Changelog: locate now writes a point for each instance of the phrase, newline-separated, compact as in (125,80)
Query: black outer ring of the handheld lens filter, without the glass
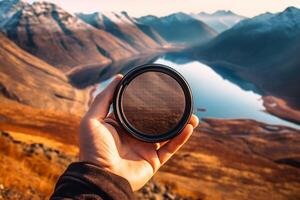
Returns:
(127,80)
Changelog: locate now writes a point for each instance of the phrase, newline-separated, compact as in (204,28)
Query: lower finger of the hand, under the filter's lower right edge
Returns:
(173,145)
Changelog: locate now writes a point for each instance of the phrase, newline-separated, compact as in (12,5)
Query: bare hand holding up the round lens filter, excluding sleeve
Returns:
(104,143)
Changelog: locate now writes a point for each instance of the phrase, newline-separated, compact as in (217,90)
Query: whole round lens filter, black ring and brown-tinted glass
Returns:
(153,102)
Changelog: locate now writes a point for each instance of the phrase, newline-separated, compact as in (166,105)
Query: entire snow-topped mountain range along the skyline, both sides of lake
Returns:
(262,50)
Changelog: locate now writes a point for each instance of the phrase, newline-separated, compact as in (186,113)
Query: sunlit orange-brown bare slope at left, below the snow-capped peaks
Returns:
(30,81)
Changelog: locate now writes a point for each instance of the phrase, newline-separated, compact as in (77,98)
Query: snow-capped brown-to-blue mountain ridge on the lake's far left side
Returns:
(67,41)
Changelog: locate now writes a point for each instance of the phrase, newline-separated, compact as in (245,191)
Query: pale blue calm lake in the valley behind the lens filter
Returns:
(217,97)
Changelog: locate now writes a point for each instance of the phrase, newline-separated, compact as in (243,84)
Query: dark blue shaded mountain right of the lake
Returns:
(263,49)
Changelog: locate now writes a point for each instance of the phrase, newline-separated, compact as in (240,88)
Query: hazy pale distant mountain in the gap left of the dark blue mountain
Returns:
(220,20)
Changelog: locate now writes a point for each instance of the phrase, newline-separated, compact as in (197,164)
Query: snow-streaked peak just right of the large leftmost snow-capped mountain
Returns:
(123,27)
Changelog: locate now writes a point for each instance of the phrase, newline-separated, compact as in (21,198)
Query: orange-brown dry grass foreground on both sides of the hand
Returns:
(224,159)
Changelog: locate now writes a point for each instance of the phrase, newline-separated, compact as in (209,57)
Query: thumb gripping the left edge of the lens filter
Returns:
(102,101)
